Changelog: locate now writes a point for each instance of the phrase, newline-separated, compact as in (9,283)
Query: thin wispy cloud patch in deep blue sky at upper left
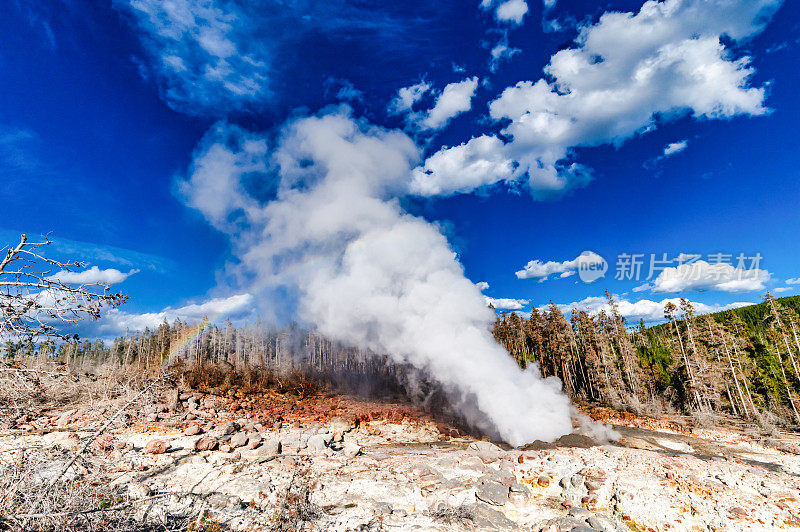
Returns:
(203,53)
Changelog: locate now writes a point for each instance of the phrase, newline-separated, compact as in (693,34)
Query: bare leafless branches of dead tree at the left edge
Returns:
(40,295)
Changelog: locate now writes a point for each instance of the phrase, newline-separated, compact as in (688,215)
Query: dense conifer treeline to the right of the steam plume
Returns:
(741,362)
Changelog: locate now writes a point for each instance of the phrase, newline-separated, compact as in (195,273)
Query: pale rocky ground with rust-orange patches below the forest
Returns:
(331,462)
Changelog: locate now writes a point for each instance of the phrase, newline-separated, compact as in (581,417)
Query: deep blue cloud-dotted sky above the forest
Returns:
(126,127)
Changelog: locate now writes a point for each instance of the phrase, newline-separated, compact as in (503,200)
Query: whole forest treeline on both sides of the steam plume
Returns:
(742,362)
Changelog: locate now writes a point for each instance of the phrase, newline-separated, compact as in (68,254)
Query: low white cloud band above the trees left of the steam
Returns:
(116,321)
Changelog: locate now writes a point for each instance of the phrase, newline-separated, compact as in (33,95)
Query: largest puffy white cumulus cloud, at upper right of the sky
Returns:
(627,72)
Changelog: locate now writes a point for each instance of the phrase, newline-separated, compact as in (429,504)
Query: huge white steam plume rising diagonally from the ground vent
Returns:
(334,236)
